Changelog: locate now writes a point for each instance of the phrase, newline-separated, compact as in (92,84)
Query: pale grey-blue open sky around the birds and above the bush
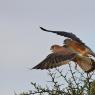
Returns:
(22,43)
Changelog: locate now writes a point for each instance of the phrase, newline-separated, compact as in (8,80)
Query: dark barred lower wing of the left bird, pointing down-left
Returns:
(54,60)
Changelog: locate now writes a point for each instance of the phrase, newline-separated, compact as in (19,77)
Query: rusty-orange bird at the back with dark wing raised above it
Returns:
(73,41)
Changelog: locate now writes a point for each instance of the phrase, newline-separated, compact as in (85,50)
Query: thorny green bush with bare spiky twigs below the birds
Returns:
(74,82)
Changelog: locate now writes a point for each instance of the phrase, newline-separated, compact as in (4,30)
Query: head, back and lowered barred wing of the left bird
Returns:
(59,56)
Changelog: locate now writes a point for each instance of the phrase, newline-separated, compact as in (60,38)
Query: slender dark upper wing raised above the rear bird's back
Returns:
(65,34)
